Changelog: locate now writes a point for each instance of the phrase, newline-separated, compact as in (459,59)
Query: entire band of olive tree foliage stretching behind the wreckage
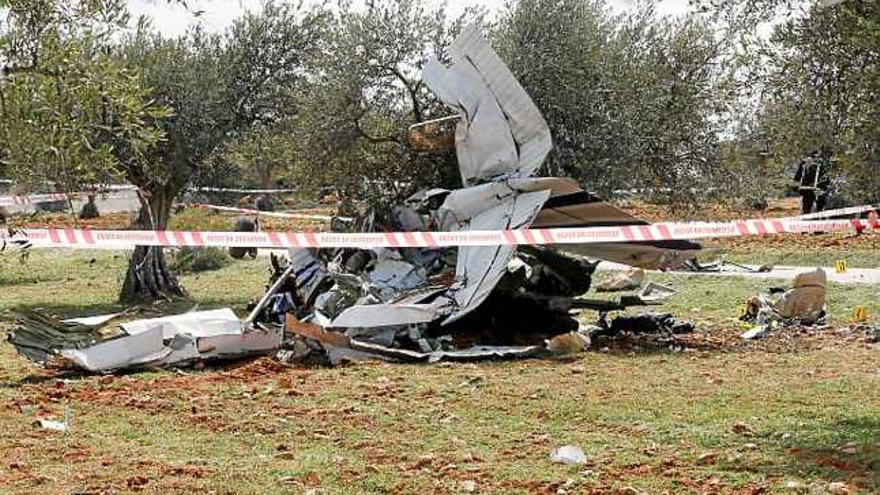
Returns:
(324,95)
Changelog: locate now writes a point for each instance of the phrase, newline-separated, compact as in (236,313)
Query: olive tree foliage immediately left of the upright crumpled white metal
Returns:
(364,93)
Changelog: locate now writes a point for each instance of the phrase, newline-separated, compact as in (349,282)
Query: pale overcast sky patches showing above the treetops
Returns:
(172,19)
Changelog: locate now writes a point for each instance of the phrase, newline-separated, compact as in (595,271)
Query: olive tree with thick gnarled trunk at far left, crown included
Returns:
(79,104)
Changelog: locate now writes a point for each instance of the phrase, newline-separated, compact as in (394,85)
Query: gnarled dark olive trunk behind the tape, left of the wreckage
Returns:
(148,278)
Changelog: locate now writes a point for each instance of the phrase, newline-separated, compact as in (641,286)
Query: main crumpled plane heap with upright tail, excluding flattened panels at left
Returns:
(472,301)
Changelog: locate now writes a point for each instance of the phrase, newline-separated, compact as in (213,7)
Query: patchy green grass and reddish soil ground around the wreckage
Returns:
(721,417)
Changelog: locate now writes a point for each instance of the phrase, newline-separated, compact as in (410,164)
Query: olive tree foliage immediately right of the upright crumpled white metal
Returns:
(632,100)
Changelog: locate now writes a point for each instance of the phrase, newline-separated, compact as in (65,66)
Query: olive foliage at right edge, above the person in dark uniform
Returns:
(824,91)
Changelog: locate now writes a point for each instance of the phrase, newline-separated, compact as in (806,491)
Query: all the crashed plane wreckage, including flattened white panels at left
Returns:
(414,304)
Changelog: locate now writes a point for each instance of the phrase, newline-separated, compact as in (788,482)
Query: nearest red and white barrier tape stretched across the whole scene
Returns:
(125,239)
